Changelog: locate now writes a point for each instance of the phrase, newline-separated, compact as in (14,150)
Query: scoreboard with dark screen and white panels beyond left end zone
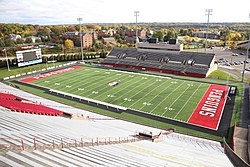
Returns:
(28,57)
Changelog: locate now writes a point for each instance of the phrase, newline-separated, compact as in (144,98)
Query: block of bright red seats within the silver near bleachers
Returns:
(19,104)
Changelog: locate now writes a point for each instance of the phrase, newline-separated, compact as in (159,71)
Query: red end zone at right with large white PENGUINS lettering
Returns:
(209,111)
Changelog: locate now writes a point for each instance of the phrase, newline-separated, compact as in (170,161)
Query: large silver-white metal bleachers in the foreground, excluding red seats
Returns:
(173,150)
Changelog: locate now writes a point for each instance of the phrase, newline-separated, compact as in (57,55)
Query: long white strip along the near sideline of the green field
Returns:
(88,99)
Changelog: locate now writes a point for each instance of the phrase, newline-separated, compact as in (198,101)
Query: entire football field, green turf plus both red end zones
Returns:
(197,103)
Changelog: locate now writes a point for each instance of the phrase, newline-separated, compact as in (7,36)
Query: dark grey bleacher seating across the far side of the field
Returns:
(162,61)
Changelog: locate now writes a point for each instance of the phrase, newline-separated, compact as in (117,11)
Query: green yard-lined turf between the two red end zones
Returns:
(165,97)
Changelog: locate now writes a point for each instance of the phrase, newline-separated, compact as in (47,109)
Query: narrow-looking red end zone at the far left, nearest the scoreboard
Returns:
(50,74)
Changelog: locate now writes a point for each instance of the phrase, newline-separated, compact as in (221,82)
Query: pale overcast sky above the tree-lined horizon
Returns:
(116,11)
